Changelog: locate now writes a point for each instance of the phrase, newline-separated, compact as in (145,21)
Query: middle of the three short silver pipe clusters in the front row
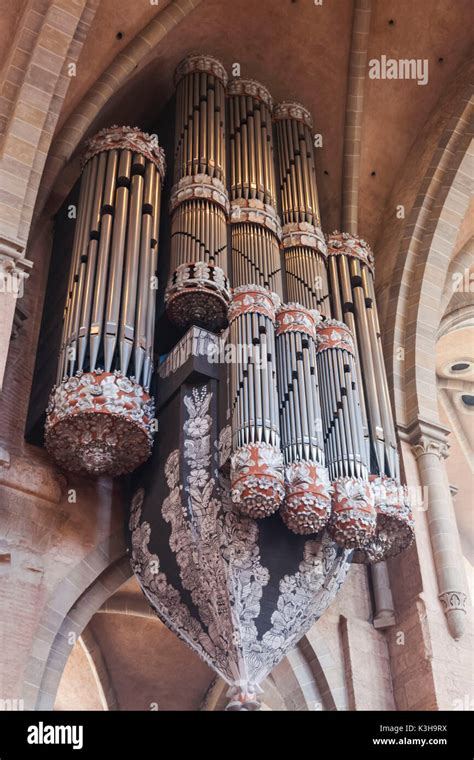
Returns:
(308,493)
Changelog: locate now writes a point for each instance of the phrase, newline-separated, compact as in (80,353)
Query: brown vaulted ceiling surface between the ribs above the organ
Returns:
(300,50)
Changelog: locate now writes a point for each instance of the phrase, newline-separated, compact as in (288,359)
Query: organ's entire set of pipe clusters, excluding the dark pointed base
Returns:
(312,432)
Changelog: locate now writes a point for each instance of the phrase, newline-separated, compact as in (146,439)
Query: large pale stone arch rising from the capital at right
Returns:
(421,261)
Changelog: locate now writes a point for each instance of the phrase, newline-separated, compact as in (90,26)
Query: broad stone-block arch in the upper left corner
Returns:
(33,89)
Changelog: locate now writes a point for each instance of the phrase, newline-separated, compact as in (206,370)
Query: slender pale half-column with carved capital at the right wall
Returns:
(430,448)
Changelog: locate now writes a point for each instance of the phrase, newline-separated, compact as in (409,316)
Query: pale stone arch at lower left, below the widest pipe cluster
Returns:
(68,611)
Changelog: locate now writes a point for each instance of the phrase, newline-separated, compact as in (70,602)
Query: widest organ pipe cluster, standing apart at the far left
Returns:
(106,356)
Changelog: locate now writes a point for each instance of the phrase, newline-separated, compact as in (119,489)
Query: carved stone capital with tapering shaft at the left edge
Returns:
(14,270)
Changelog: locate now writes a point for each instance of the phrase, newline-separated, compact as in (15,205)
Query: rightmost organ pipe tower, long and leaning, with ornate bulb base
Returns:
(351,274)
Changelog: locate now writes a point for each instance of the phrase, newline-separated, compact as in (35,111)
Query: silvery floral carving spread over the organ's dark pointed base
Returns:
(218,555)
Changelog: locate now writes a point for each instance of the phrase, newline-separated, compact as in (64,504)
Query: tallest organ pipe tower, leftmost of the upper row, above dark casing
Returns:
(198,289)
